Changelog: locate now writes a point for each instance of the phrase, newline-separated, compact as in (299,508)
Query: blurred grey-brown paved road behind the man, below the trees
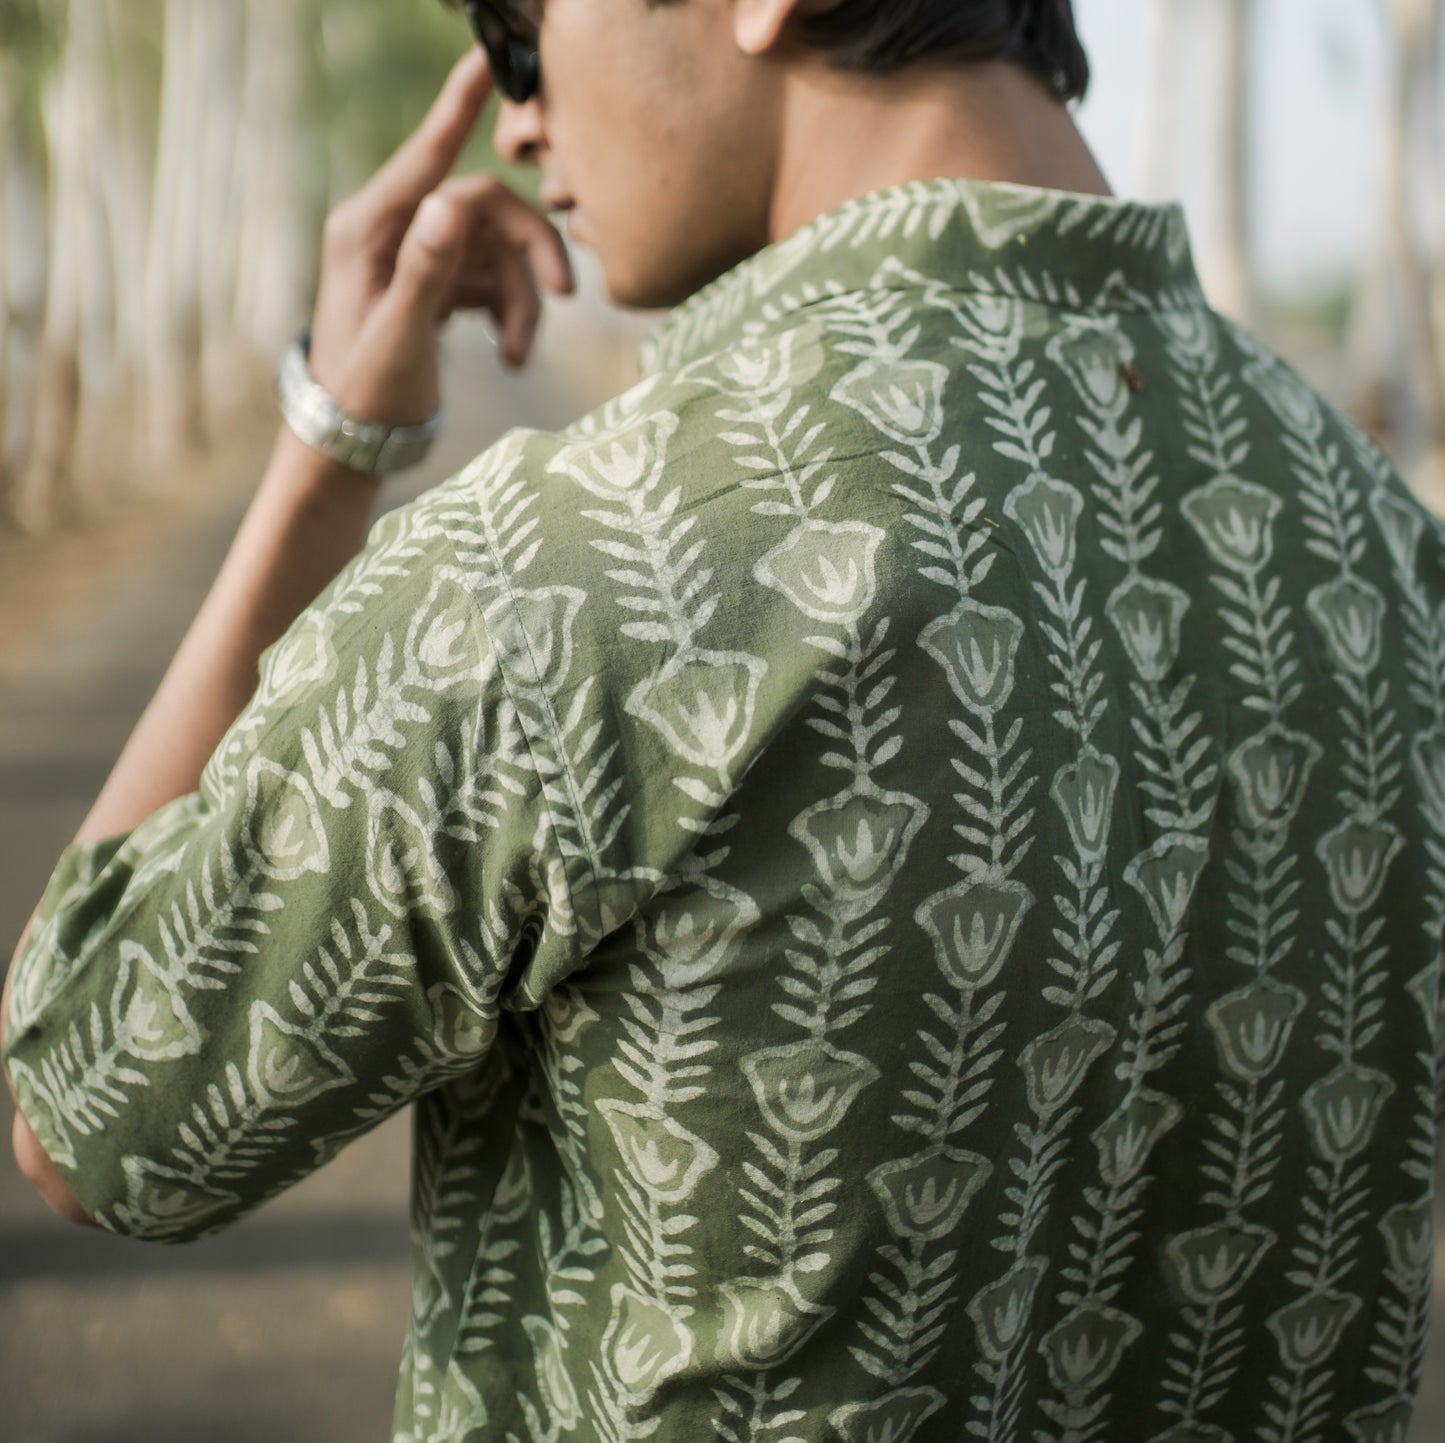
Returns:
(288,1328)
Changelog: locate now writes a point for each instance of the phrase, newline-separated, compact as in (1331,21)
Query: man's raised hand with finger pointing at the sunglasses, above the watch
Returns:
(415,245)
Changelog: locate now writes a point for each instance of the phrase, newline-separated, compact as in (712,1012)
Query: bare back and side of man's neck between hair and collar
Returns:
(846,135)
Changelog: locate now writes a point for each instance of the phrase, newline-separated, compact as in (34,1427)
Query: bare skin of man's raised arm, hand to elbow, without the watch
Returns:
(410,249)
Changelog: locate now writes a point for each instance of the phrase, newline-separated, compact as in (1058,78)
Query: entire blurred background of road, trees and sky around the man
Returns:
(165,167)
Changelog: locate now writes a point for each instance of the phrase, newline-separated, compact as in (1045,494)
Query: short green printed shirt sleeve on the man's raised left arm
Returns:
(212,1006)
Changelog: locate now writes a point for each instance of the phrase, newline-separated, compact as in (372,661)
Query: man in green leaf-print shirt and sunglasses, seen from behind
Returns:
(902,862)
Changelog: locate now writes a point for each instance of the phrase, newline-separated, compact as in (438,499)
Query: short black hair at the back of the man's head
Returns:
(885,35)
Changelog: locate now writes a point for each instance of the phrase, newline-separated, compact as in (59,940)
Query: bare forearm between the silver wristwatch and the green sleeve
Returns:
(307,521)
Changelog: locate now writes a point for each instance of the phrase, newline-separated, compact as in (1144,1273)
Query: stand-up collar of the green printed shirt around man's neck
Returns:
(1054,248)
